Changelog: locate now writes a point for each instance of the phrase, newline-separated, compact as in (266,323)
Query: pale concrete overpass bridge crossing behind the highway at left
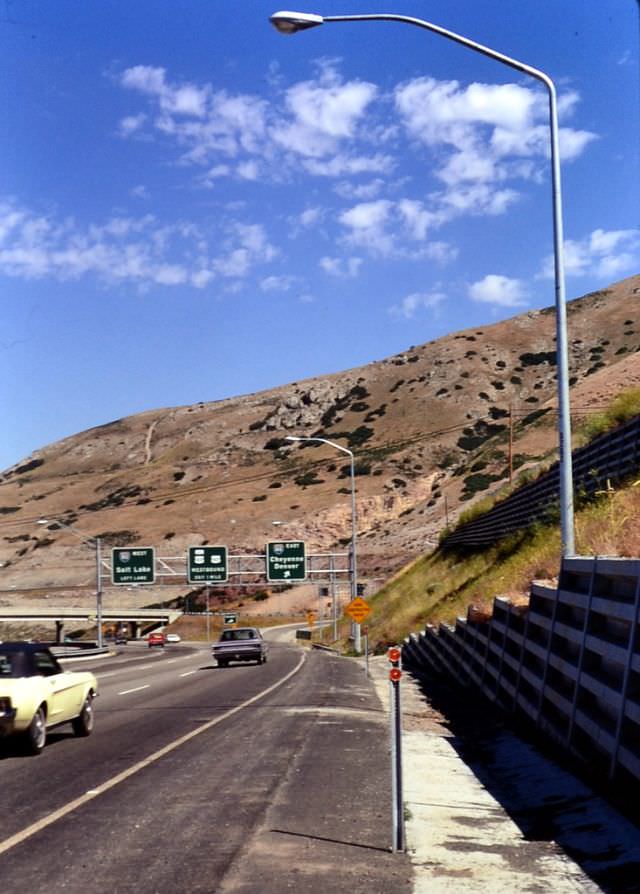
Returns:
(134,617)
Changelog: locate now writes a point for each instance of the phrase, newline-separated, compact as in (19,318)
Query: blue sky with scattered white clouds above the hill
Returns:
(194,207)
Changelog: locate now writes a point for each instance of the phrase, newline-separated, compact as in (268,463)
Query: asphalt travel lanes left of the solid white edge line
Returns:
(148,697)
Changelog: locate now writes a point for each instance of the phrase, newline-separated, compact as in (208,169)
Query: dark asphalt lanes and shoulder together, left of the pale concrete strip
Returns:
(189,818)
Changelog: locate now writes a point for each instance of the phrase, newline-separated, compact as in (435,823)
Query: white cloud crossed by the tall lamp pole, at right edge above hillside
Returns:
(603,253)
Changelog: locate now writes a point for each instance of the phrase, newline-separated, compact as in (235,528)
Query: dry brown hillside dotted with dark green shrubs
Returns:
(429,427)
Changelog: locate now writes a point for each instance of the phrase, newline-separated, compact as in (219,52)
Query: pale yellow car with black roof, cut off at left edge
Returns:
(37,694)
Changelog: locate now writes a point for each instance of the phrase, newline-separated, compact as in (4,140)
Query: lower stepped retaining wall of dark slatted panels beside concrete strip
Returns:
(569,662)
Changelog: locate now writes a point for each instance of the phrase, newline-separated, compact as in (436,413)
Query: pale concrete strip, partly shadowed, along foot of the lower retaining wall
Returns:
(488,813)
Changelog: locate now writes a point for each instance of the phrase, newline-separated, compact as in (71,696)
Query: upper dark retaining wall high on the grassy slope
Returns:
(610,457)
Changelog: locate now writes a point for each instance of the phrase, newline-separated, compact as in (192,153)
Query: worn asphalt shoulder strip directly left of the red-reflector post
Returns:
(329,827)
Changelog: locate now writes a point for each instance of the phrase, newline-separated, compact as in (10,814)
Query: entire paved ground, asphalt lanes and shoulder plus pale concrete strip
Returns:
(262,780)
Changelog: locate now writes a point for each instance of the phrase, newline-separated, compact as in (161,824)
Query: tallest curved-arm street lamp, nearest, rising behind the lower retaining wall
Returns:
(290,22)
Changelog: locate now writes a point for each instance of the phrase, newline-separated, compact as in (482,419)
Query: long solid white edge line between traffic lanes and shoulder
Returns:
(41,824)
